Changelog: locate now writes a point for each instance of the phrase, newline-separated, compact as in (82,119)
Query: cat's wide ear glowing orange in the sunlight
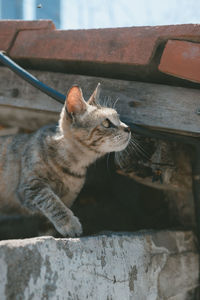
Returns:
(74,103)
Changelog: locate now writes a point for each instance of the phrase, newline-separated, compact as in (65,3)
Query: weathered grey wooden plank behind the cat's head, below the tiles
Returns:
(152,105)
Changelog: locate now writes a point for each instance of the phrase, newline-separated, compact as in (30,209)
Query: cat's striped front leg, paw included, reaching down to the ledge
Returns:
(47,202)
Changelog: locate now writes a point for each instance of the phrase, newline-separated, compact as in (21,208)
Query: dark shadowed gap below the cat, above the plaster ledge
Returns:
(108,202)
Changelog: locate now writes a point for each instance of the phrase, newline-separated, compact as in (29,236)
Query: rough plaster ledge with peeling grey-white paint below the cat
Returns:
(141,266)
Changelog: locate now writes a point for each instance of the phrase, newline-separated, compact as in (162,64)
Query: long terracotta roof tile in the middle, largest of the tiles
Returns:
(134,45)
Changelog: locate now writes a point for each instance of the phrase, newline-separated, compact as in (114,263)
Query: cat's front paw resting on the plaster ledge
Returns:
(72,229)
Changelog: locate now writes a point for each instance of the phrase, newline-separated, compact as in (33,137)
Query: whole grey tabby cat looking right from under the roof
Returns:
(43,172)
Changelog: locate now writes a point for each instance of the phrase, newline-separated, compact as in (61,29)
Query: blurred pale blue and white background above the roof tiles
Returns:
(84,14)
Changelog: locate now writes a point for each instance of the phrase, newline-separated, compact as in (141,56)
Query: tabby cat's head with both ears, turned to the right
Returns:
(96,127)
